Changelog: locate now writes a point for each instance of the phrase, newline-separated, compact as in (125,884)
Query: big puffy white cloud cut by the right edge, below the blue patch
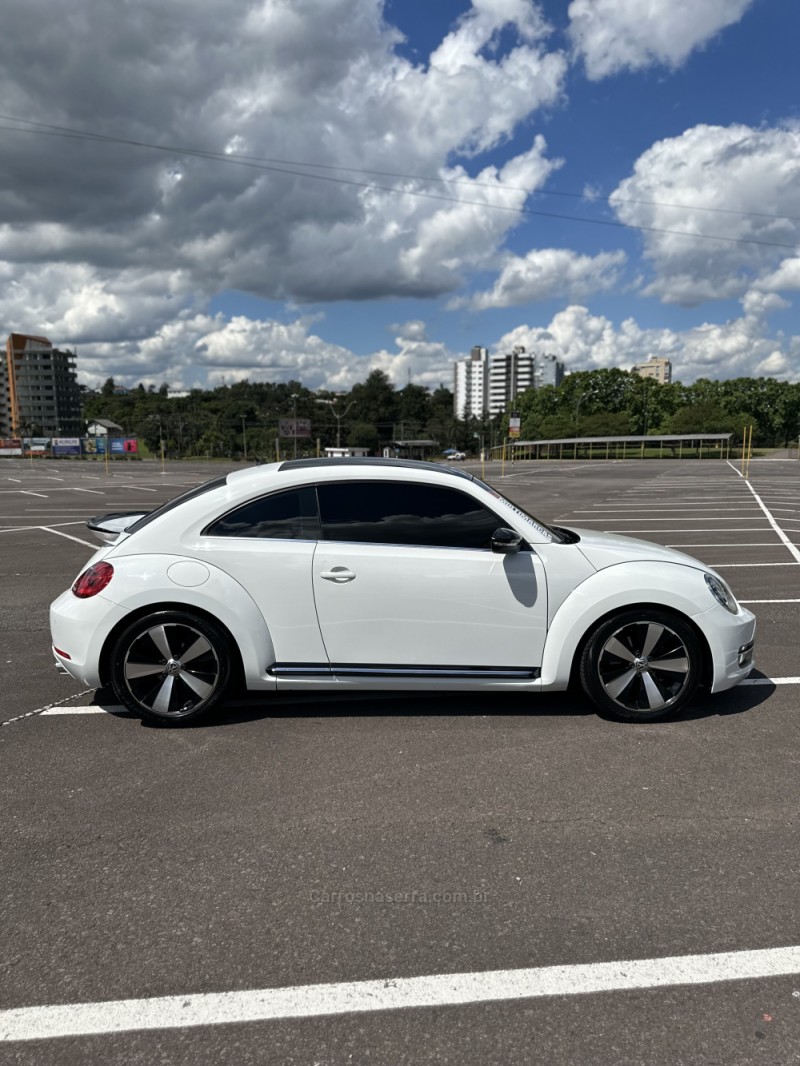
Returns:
(735,183)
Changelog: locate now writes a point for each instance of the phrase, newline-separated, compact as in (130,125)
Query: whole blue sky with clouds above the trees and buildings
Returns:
(200,192)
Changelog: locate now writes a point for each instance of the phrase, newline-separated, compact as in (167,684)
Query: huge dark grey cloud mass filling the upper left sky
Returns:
(258,83)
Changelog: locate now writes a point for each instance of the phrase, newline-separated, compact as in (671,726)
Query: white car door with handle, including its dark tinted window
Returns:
(405,578)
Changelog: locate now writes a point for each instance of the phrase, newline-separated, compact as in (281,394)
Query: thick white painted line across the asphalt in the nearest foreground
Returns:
(392,994)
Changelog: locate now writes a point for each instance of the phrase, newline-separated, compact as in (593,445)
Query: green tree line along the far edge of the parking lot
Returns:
(244,418)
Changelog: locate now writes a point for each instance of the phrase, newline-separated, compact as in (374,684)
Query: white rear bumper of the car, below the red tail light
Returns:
(78,631)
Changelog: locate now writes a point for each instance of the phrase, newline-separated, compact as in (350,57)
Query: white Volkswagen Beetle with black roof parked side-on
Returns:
(388,575)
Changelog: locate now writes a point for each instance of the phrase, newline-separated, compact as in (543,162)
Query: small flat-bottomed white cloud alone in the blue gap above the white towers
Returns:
(546,273)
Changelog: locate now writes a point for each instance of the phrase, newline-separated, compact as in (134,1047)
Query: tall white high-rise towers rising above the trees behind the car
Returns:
(488,387)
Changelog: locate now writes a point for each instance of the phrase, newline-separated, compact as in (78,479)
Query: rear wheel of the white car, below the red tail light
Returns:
(171,668)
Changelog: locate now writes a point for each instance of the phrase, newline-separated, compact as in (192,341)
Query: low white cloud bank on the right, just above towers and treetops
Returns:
(585,342)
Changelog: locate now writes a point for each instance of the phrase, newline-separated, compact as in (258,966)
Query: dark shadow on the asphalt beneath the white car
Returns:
(370,704)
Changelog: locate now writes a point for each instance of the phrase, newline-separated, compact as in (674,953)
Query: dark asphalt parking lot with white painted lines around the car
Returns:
(577,891)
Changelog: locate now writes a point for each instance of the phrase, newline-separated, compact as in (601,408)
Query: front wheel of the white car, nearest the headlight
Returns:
(642,666)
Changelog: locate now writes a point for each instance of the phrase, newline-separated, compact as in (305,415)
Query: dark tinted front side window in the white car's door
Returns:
(405,513)
